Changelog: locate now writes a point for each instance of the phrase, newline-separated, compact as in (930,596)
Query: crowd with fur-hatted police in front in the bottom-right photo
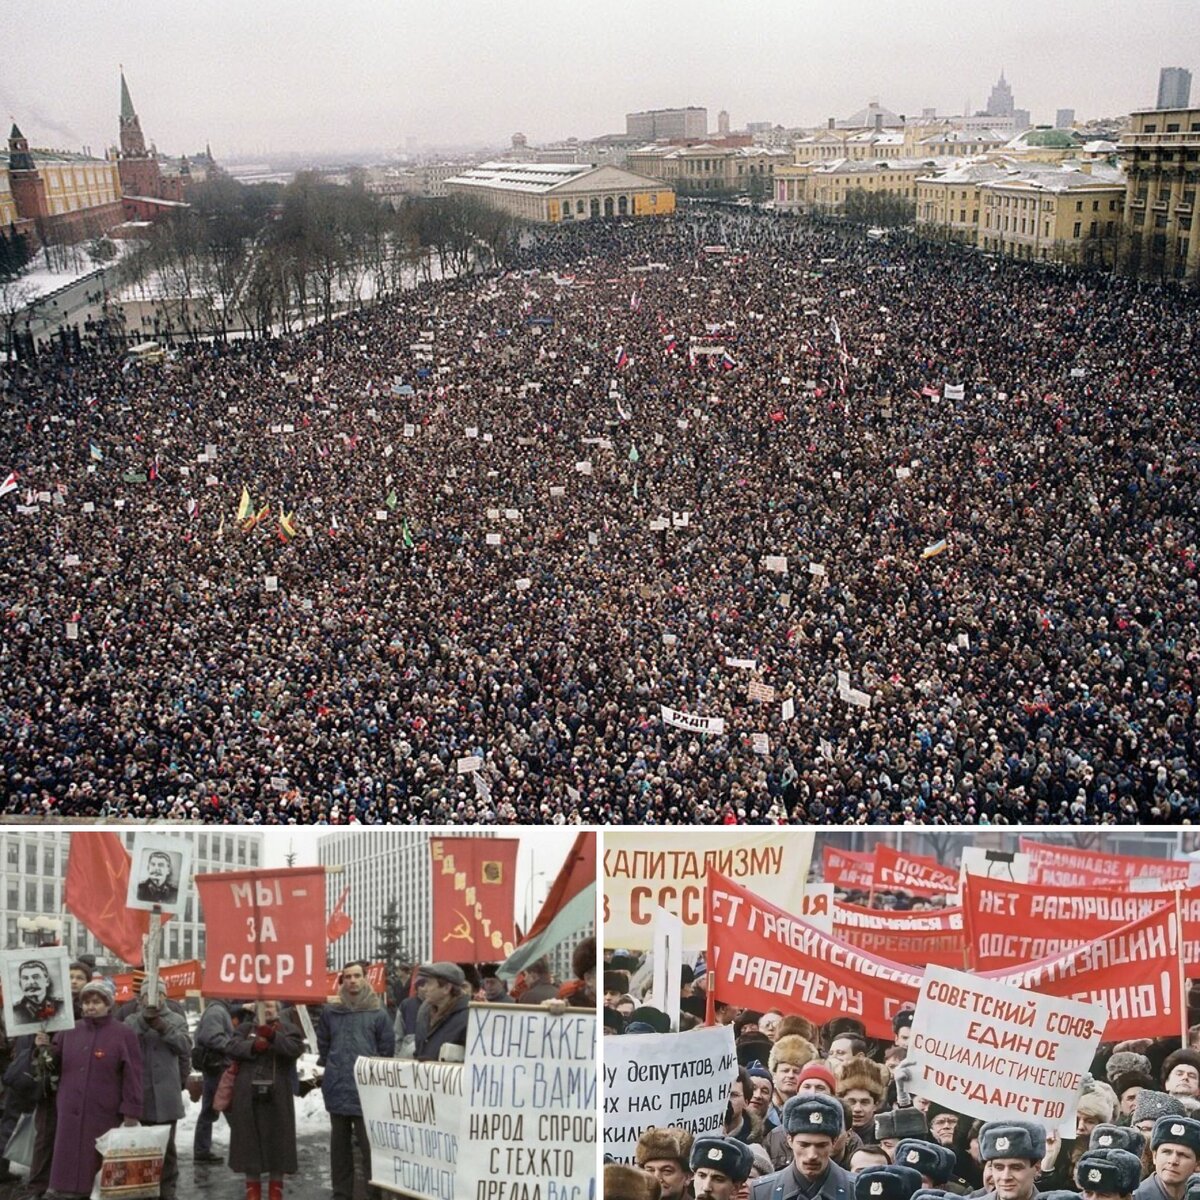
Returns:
(825,1113)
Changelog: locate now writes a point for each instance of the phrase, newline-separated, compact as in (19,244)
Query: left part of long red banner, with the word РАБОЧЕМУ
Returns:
(764,958)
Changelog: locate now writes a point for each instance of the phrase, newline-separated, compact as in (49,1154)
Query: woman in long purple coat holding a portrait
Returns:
(100,1088)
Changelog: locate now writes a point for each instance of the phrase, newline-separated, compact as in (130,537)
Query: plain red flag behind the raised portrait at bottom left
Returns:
(97,887)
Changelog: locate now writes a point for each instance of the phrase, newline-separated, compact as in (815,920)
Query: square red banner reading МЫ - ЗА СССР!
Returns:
(265,934)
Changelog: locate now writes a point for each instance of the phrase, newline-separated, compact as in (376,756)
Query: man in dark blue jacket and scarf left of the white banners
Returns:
(357,1024)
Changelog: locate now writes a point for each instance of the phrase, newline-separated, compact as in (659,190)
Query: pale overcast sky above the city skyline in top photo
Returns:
(255,76)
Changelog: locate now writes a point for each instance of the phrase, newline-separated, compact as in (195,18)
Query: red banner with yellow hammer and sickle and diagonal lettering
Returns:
(475,884)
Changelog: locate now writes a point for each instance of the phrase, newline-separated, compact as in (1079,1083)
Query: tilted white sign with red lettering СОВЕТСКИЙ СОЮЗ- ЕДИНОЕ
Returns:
(999,1053)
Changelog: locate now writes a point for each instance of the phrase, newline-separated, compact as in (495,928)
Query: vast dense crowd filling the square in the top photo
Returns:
(531,509)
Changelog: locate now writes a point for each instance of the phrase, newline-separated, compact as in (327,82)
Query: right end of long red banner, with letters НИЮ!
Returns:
(1132,971)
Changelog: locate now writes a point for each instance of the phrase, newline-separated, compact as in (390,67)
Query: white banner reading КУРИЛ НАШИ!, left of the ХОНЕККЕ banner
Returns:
(412,1113)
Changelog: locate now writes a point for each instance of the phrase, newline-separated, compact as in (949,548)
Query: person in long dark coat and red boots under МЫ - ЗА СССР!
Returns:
(263,1118)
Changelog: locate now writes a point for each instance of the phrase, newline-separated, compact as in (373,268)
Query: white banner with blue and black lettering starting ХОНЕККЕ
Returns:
(529,1123)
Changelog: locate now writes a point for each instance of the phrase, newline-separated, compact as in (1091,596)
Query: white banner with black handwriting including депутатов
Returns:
(667,1079)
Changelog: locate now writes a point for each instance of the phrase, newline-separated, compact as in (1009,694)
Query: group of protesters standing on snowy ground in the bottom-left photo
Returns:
(129,1065)
